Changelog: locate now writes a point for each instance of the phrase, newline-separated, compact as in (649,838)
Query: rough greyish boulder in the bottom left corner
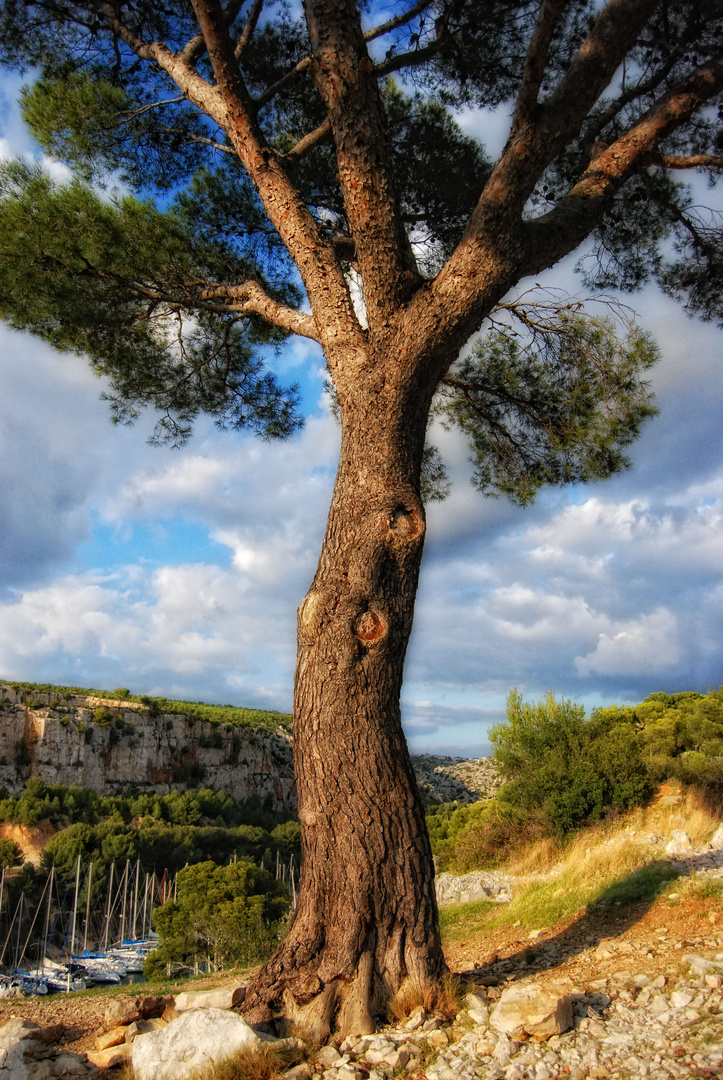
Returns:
(26,1056)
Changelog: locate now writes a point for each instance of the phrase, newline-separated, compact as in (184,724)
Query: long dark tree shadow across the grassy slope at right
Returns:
(615,911)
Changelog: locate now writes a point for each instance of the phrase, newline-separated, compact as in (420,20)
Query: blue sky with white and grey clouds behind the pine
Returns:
(179,573)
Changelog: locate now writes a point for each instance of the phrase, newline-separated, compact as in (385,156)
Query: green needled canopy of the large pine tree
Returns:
(179,283)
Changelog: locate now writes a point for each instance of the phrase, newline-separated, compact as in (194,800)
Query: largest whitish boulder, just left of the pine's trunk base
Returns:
(197,1039)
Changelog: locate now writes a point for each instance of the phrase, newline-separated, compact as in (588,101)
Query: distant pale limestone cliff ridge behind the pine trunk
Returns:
(109,745)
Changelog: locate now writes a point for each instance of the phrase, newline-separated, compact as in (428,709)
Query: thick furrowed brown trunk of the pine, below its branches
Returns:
(367,919)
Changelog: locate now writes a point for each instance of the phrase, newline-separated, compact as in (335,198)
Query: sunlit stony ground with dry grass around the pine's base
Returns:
(647,990)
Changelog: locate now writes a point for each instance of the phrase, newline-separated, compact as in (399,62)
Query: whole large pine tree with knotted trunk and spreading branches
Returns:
(275,159)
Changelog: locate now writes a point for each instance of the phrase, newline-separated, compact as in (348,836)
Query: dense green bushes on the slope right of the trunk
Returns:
(564,771)
